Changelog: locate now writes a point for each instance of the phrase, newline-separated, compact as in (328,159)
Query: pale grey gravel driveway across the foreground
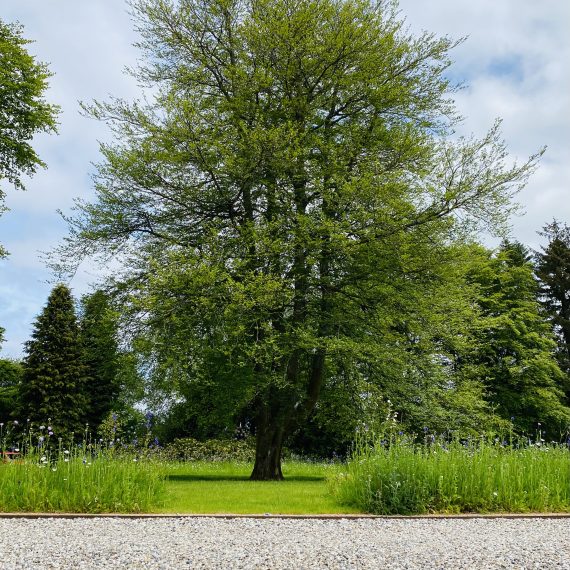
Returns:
(270,543)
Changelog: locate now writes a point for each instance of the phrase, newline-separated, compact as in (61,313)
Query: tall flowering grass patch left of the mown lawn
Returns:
(86,478)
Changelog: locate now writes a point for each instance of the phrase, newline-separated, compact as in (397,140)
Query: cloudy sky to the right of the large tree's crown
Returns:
(515,64)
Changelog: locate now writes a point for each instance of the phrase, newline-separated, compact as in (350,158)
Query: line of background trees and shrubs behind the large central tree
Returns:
(499,362)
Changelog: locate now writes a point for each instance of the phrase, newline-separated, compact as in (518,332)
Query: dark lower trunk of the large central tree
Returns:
(268,447)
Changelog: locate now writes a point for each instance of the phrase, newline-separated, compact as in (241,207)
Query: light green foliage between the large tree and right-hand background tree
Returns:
(413,373)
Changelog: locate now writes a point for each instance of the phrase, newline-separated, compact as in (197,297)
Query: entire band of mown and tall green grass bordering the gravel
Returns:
(401,478)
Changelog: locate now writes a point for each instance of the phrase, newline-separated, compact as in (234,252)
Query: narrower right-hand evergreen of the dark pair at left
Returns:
(99,340)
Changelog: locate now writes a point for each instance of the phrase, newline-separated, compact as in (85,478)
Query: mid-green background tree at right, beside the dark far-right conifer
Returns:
(515,347)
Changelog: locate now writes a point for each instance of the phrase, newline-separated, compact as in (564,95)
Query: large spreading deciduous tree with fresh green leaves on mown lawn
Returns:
(283,203)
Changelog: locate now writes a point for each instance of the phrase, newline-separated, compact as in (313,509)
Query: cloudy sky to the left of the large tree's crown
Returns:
(87,46)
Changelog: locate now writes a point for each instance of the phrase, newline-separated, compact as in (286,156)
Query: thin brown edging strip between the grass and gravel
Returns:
(278,516)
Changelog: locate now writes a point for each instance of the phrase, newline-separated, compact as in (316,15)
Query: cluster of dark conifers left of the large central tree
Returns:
(72,372)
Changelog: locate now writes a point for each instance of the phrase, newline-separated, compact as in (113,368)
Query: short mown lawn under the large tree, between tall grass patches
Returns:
(202,487)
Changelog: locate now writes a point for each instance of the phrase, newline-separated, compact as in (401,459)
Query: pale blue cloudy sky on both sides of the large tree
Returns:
(514,64)
